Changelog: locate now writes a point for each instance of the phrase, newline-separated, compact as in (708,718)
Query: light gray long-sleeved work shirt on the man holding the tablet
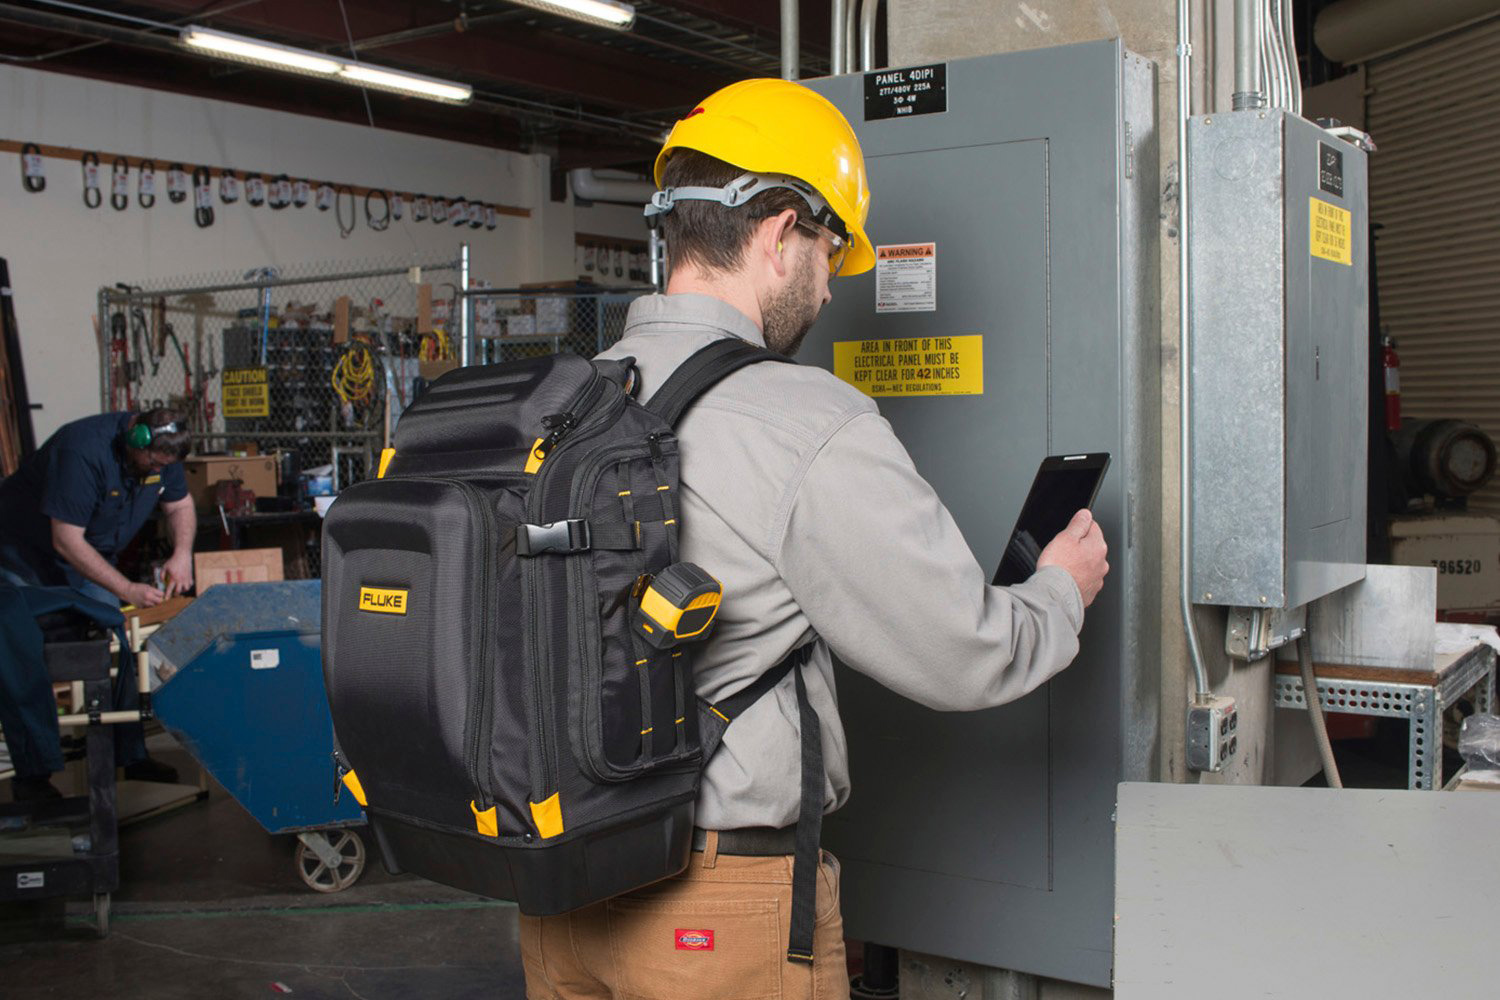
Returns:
(800,500)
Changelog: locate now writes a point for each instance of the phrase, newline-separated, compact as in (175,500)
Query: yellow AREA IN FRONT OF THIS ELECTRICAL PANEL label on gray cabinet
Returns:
(917,367)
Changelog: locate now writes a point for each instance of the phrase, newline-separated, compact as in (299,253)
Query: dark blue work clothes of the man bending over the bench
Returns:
(79,476)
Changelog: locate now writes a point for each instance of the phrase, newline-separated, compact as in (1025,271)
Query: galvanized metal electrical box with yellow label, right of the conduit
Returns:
(1280,260)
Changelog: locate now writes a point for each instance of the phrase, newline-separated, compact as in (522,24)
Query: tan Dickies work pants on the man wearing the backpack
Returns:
(718,932)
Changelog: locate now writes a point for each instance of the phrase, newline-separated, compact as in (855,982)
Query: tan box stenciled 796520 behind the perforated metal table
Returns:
(1465,549)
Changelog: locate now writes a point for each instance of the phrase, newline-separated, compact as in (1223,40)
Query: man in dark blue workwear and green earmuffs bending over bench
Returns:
(65,516)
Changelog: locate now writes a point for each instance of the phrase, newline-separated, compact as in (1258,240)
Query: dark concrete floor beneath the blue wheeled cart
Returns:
(211,906)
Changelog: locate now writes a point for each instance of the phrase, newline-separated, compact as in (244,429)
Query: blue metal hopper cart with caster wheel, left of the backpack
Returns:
(241,686)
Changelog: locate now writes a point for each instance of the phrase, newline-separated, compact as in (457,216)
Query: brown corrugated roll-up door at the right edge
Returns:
(1435,185)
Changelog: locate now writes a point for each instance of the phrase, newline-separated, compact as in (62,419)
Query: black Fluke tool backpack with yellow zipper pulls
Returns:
(499,719)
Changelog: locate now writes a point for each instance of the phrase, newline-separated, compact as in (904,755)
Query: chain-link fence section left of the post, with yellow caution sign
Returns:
(299,359)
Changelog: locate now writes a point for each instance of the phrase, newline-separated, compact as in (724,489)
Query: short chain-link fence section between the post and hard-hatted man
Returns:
(511,325)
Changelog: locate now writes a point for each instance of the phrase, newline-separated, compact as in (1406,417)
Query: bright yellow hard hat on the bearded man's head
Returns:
(779,127)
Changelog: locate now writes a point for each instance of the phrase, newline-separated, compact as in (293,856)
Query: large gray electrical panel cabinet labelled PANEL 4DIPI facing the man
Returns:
(1013,317)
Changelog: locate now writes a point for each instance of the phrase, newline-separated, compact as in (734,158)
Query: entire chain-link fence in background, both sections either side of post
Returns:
(316,364)
